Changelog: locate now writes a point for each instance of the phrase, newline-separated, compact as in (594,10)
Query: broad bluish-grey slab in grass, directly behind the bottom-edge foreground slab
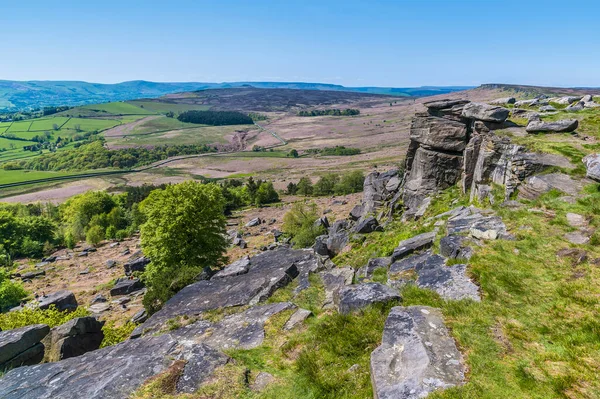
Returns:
(430,271)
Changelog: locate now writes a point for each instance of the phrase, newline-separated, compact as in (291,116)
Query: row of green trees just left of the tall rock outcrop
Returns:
(328,184)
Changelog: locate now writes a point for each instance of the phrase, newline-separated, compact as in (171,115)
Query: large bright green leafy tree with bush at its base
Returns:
(184,233)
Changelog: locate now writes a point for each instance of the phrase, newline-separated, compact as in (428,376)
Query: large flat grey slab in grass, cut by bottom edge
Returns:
(416,357)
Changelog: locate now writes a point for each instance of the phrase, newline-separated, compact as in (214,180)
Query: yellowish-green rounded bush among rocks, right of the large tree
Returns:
(299,224)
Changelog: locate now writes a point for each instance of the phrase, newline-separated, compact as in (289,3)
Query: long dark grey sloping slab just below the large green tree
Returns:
(268,271)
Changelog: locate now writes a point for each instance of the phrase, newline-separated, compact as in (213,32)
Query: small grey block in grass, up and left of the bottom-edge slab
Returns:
(358,296)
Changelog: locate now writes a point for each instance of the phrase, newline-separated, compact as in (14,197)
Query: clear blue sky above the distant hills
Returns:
(354,43)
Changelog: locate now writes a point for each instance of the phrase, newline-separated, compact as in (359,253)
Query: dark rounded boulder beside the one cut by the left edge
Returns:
(74,338)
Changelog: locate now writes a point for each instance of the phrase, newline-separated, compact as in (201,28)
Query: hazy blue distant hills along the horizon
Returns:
(27,95)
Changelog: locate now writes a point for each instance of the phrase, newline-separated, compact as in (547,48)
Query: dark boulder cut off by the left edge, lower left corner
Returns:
(22,346)
